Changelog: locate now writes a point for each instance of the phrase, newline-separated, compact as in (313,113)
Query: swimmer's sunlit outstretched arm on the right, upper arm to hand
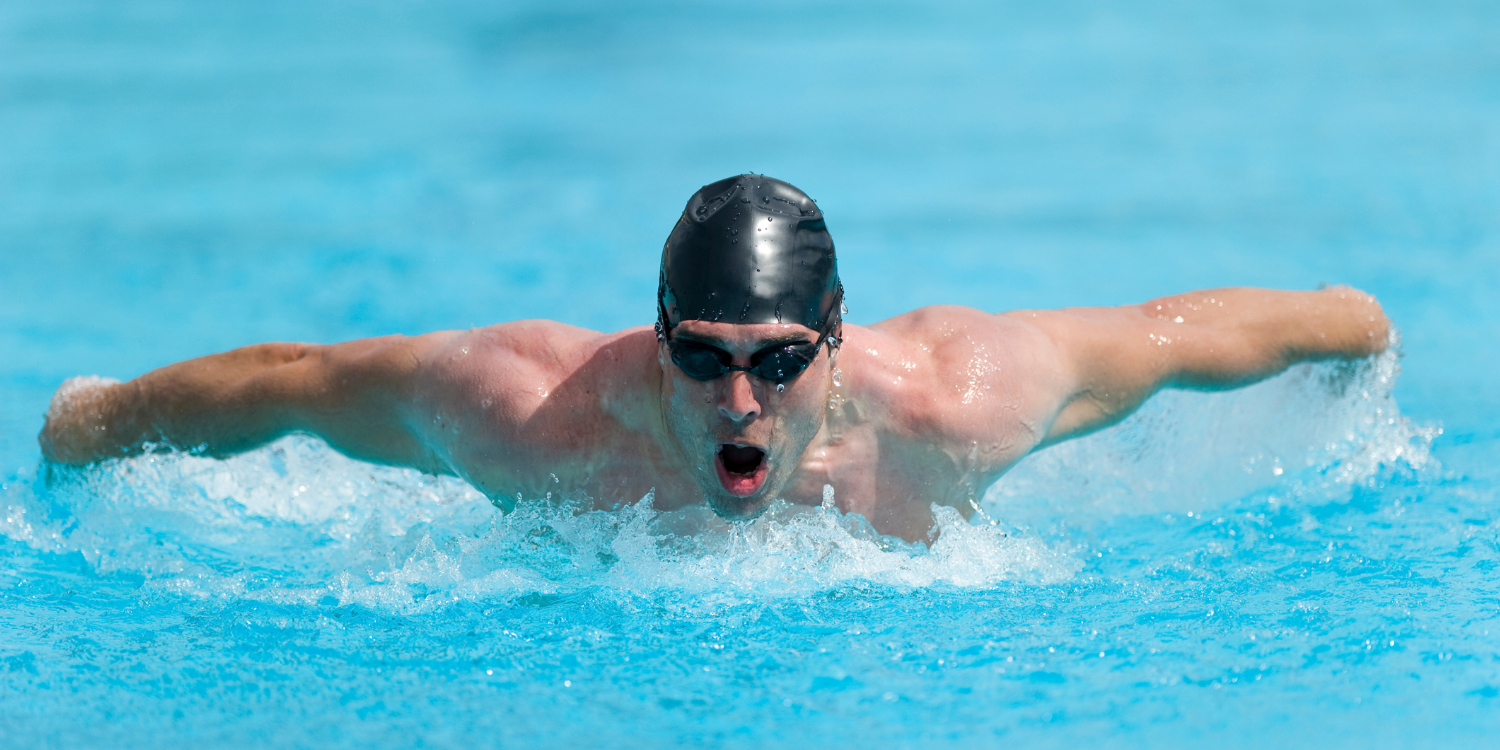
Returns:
(1114,359)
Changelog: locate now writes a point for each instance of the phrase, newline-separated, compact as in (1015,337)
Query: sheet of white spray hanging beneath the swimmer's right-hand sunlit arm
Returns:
(1315,430)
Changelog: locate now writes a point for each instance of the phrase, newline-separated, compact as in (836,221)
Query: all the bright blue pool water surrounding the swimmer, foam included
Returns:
(1310,562)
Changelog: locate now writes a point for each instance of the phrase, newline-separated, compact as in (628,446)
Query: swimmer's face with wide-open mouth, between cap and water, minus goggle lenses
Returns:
(742,434)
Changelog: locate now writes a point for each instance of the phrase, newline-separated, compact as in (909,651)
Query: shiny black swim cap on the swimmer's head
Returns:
(749,250)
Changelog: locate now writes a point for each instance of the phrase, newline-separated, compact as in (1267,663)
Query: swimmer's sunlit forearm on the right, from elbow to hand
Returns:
(1225,338)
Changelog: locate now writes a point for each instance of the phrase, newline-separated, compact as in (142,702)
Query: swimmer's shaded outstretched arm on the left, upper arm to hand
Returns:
(353,395)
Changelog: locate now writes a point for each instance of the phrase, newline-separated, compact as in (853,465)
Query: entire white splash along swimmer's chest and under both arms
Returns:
(298,523)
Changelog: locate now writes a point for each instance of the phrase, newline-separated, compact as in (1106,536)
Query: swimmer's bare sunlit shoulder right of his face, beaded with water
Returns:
(959,376)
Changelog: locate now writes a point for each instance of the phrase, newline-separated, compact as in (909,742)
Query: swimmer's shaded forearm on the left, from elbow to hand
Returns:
(224,404)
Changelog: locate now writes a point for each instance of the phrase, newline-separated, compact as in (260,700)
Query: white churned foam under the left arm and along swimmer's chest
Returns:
(298,523)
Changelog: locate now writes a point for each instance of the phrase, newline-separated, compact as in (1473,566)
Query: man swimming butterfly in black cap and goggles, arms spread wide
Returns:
(749,389)
